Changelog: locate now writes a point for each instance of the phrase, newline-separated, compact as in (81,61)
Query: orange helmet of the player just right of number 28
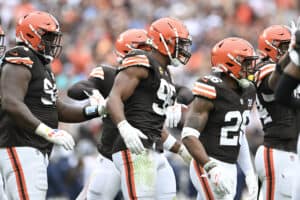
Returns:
(274,41)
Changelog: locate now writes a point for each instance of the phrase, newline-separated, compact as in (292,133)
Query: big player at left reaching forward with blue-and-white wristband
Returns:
(30,109)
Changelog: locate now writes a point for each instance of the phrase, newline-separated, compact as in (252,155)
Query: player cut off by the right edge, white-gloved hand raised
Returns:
(284,93)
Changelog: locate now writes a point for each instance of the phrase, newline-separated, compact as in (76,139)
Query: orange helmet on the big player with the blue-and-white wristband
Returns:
(41,32)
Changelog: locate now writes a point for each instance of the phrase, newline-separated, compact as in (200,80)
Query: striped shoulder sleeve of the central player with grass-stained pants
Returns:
(135,58)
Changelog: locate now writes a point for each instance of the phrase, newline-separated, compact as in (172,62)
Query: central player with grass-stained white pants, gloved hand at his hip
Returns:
(141,92)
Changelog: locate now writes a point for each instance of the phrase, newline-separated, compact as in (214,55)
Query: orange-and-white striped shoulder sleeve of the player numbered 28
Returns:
(203,89)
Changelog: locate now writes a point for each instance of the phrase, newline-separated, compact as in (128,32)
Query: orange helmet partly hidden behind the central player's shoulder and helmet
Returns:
(131,39)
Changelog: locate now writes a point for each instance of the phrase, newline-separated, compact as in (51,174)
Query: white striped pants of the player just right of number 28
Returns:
(276,171)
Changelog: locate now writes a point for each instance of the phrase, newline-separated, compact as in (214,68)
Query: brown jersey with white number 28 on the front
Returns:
(227,120)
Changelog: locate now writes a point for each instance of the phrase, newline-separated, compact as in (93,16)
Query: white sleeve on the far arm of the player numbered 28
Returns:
(244,158)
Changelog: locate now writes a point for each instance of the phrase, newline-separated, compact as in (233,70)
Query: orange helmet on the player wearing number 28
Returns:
(235,56)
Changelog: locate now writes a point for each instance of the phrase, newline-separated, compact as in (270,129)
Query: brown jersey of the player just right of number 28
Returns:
(279,122)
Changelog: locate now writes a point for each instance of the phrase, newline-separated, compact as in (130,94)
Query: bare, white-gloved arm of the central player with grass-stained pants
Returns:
(124,85)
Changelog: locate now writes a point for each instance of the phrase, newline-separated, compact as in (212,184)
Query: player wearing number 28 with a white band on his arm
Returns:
(214,130)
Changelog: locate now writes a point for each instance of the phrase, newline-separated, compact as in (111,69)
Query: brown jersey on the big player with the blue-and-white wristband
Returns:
(40,99)
